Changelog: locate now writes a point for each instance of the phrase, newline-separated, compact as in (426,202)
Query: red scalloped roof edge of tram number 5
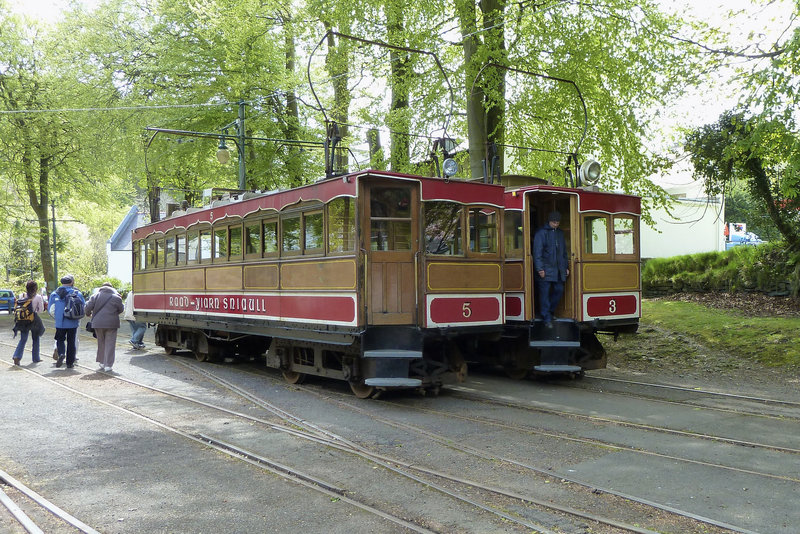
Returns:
(323,191)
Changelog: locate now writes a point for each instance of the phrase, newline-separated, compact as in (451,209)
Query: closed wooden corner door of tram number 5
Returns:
(391,284)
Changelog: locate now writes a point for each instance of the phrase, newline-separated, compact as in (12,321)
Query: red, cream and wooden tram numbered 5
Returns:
(366,277)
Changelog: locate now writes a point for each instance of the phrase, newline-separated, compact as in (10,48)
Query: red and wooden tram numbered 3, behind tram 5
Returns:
(602,293)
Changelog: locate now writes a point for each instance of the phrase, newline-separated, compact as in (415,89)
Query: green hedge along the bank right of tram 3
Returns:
(758,268)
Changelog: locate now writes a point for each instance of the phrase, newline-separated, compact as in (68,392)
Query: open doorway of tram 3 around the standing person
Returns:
(539,207)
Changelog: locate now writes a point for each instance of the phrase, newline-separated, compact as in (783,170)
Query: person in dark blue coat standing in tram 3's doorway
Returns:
(551,265)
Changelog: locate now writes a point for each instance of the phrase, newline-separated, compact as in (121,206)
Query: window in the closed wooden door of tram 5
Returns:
(390,218)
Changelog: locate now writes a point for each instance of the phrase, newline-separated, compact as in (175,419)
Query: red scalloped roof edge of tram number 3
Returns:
(588,199)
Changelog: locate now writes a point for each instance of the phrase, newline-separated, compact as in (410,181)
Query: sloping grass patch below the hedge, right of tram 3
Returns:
(771,341)
